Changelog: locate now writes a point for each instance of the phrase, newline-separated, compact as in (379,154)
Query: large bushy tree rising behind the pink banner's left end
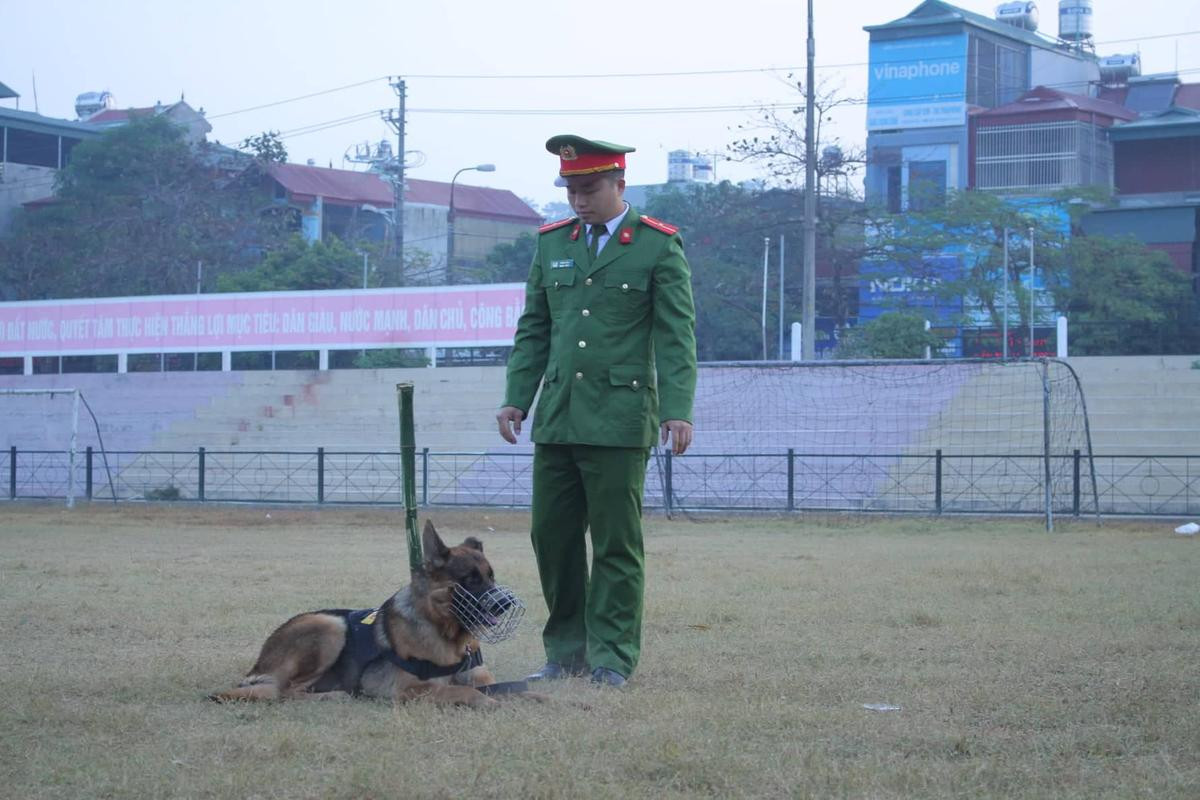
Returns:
(135,213)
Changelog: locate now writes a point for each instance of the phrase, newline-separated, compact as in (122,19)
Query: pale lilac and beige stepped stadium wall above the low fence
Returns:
(1137,405)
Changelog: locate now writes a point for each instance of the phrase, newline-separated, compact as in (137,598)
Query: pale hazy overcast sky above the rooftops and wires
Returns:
(229,57)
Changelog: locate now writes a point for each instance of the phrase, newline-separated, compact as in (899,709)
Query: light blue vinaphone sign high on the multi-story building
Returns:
(917,83)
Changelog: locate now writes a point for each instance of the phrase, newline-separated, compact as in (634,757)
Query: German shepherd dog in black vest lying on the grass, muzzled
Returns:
(416,645)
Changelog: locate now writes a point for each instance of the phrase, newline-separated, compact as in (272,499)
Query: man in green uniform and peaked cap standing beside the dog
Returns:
(609,332)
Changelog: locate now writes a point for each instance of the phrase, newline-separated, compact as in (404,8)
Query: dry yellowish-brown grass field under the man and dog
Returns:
(1024,665)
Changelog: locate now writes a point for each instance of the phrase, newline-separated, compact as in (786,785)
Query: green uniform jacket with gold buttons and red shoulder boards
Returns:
(614,340)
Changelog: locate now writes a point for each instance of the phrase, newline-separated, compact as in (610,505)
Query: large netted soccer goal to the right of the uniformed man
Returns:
(932,437)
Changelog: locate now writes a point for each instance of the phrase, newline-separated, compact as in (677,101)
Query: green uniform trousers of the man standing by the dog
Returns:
(595,622)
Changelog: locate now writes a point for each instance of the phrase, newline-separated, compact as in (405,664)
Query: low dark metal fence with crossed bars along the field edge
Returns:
(785,482)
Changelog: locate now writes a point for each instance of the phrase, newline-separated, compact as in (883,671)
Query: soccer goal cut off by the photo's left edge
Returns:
(41,432)
